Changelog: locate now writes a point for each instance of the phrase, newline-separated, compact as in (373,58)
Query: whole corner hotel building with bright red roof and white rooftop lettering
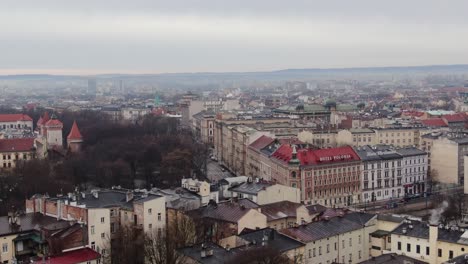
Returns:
(325,176)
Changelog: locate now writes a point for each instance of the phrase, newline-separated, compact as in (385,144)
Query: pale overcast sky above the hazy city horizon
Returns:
(151,36)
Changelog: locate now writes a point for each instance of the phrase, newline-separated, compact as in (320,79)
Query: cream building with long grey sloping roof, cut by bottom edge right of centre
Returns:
(341,239)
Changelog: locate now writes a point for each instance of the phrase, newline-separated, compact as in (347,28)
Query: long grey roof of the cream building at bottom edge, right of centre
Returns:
(328,228)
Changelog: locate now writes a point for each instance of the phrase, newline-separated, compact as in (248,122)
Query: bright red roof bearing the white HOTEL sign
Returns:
(317,156)
